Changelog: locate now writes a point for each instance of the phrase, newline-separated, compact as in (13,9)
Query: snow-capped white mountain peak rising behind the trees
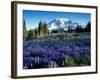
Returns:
(61,23)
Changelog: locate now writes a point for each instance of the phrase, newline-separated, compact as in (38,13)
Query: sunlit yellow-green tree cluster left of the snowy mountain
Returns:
(41,31)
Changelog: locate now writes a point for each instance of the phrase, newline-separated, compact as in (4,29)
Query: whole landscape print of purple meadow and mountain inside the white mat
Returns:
(56,39)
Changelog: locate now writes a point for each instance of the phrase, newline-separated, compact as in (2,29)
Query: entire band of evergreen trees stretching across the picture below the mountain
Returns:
(42,30)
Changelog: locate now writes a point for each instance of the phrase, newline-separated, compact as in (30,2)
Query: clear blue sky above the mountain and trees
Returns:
(32,18)
